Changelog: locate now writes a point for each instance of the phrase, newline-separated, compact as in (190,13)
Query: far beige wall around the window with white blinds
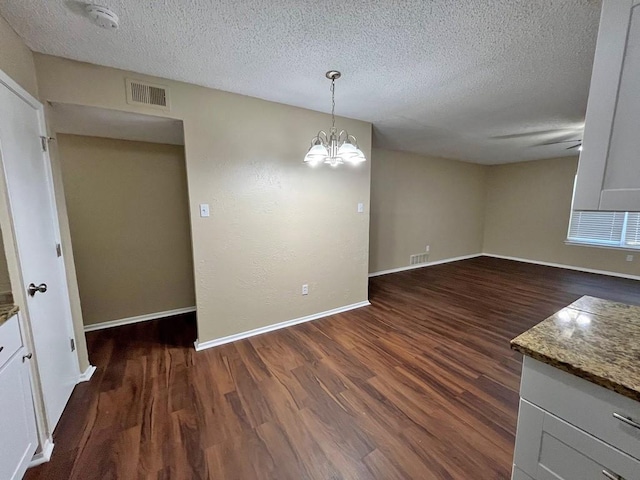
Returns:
(528,214)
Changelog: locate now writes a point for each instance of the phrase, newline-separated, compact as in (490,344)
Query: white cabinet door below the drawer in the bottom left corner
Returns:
(18,439)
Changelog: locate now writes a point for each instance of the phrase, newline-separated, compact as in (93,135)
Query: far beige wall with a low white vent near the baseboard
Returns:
(418,201)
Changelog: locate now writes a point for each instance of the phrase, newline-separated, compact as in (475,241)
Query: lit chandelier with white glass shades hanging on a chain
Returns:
(335,148)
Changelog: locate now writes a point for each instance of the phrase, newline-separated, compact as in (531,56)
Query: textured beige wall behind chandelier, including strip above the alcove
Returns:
(275,223)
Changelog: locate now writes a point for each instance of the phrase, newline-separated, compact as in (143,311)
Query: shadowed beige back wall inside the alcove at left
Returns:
(129,216)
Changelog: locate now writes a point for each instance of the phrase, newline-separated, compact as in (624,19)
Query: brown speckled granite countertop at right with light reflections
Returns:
(592,338)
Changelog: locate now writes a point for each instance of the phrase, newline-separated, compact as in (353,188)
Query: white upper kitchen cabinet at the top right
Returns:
(609,167)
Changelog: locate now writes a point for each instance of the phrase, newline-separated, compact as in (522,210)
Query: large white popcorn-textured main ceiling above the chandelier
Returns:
(483,81)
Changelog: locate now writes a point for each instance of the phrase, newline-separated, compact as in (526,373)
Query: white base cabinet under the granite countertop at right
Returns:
(567,431)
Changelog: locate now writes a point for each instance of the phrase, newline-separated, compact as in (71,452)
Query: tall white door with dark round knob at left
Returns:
(28,179)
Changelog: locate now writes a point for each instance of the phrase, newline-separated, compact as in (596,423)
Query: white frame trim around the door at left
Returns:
(45,432)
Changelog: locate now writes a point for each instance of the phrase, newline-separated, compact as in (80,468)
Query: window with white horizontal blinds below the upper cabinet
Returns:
(606,229)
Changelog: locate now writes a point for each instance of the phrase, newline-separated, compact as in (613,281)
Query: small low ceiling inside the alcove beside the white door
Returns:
(101,122)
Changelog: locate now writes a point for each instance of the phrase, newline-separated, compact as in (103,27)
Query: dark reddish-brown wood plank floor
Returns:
(420,385)
